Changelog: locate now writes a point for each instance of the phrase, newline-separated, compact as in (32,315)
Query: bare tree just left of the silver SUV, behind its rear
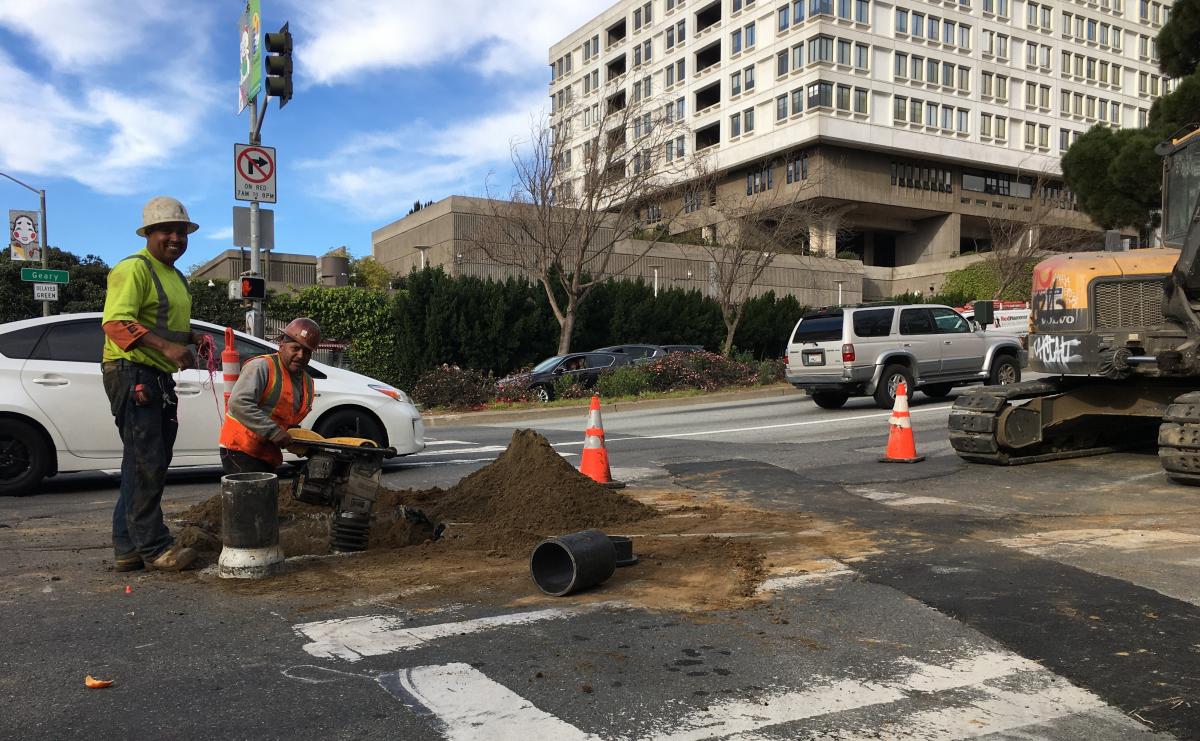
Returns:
(749,230)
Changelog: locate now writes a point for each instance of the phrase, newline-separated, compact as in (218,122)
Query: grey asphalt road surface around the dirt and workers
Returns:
(1040,603)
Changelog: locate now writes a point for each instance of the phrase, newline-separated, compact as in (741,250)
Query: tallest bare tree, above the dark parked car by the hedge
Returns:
(572,206)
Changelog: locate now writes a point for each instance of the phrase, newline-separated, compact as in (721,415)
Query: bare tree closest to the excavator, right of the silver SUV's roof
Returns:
(1023,236)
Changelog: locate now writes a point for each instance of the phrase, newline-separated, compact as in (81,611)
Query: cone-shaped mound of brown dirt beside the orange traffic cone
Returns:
(529,493)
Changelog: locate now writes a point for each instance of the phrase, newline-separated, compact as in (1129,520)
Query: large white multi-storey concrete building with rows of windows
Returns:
(927,118)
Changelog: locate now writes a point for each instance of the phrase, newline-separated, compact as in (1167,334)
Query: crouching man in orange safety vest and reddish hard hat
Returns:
(272,396)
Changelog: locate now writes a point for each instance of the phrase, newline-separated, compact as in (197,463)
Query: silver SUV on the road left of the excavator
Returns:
(867,351)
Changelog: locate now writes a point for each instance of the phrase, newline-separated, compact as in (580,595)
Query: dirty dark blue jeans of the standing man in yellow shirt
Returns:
(148,435)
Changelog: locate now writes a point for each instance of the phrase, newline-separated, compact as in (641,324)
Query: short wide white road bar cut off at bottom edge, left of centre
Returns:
(465,706)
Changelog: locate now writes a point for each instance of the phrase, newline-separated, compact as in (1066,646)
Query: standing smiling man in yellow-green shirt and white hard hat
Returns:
(148,329)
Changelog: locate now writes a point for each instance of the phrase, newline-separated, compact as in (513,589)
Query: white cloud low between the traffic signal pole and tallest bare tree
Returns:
(423,162)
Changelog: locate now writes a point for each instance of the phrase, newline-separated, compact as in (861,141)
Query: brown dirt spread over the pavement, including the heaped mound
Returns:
(694,555)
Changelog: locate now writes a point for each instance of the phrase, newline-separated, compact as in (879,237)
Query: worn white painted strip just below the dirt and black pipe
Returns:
(352,638)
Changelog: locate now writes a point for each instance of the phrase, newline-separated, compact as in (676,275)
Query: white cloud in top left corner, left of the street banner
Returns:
(104,128)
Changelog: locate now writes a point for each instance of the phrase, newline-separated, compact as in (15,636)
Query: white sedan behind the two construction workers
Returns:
(56,418)
